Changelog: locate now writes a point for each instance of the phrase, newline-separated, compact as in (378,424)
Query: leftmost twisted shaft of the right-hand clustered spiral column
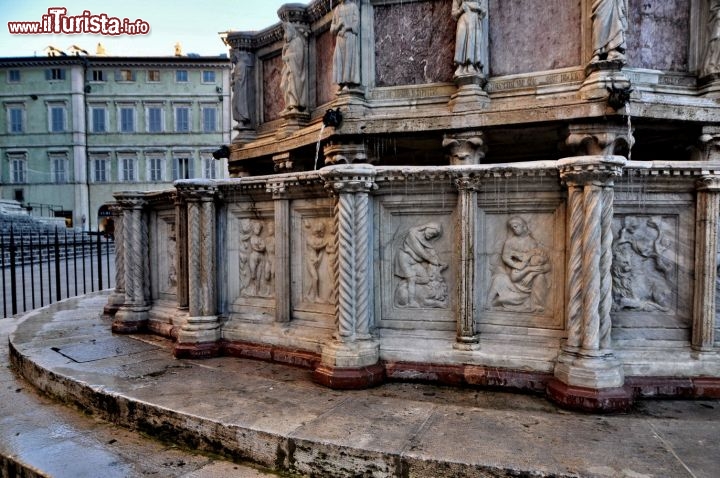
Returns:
(575,266)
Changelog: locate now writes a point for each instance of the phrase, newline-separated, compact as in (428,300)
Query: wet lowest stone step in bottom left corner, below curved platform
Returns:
(43,438)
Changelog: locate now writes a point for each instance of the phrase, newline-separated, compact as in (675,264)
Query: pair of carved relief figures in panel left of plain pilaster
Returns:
(257,258)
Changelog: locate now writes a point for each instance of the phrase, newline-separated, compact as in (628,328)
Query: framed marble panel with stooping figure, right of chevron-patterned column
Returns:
(416,264)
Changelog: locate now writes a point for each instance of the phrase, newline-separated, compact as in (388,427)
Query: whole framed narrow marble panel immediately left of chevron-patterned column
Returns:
(312,250)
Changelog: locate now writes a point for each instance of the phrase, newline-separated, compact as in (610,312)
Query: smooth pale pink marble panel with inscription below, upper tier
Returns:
(532,35)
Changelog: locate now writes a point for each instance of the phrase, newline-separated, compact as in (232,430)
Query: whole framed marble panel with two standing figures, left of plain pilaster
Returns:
(250,257)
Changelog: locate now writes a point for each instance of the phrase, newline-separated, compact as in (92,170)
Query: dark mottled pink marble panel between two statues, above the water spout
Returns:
(414,43)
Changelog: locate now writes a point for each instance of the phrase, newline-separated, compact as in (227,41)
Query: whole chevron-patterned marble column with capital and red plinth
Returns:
(352,359)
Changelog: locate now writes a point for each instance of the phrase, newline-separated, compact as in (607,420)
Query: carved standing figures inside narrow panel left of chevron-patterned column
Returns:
(318,257)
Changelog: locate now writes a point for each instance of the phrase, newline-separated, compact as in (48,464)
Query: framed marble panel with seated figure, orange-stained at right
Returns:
(521,265)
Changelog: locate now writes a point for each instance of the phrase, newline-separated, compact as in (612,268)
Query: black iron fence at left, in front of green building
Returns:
(45,267)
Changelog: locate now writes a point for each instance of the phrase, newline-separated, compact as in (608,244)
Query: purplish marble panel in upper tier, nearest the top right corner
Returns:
(659,34)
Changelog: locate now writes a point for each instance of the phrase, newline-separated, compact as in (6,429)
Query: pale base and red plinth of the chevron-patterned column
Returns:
(350,366)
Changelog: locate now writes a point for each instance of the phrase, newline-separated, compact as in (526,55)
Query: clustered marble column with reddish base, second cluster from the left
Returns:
(200,335)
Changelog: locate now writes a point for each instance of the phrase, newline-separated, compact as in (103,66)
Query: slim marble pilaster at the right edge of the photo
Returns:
(706,250)
